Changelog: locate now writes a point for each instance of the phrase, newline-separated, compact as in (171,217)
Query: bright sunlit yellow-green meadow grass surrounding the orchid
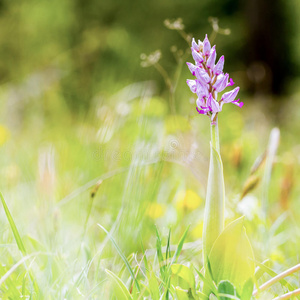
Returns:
(128,173)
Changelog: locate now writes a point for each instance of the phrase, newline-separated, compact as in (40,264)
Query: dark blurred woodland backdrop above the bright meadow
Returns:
(94,46)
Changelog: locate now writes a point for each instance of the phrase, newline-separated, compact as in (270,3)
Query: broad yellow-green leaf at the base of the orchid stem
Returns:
(231,257)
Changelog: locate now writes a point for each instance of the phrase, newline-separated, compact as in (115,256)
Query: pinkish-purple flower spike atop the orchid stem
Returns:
(210,80)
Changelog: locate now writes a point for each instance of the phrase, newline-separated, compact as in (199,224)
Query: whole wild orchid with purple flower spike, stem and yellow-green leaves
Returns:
(227,252)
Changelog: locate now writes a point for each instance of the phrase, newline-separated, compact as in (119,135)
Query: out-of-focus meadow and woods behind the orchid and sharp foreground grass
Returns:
(76,107)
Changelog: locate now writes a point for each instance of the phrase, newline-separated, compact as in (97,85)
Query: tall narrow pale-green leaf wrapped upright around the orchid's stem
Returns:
(214,207)
